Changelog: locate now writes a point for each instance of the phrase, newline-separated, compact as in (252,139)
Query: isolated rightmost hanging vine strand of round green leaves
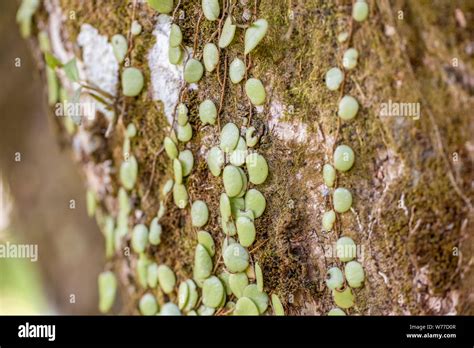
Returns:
(341,283)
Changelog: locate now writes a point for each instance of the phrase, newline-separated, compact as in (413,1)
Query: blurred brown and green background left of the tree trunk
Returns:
(35,194)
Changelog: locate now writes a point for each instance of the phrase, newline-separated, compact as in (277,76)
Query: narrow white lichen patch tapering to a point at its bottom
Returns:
(166,78)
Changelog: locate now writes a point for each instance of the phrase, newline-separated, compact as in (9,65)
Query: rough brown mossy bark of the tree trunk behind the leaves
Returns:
(412,179)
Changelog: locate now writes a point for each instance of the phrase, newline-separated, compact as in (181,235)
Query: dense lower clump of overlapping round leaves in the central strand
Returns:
(239,207)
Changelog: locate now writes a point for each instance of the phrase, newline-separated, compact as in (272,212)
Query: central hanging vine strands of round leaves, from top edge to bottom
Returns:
(238,205)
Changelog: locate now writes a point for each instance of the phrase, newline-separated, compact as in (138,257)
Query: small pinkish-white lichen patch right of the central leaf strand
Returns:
(286,131)
